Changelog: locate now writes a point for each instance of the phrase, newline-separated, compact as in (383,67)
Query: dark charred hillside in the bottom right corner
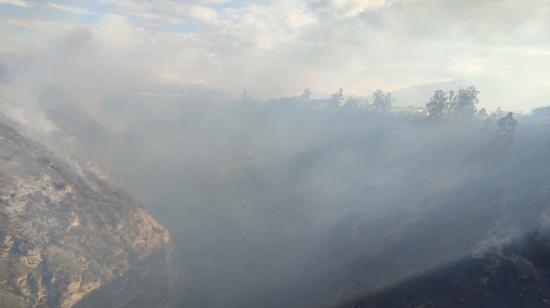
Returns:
(516,276)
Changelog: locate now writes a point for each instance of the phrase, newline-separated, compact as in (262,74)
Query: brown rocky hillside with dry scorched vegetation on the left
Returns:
(65,231)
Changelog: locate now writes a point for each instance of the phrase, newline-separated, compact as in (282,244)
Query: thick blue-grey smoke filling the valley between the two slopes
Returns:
(274,202)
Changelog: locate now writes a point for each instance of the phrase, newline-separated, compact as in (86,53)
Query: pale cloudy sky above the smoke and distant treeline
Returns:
(280,47)
